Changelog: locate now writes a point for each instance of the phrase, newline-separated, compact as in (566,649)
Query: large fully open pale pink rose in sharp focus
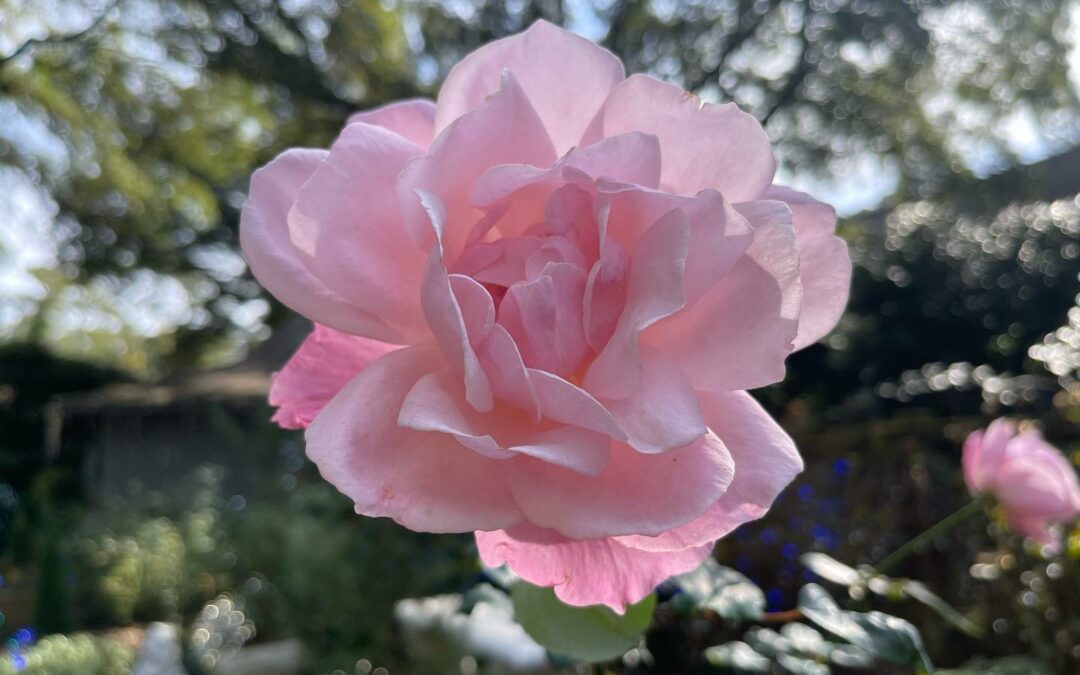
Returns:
(587,273)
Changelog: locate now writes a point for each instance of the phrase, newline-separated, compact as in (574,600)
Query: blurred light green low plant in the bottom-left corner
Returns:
(76,655)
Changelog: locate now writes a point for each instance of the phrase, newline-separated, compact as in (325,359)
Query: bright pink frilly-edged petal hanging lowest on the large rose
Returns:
(589,572)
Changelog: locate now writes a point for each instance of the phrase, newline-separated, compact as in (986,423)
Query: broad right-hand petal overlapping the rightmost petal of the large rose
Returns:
(739,334)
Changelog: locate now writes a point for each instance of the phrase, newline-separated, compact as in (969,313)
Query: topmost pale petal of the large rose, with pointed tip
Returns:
(565,76)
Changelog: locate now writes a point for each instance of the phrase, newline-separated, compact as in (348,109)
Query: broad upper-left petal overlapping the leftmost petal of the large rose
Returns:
(347,220)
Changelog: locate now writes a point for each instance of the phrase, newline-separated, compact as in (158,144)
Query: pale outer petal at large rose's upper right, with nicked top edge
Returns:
(704,145)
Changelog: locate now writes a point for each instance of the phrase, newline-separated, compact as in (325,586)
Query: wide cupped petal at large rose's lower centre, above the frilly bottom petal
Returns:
(637,494)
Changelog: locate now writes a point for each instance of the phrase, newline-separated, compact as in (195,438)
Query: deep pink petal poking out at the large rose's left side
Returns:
(319,370)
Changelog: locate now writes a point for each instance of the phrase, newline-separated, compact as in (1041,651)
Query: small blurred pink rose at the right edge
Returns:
(1032,480)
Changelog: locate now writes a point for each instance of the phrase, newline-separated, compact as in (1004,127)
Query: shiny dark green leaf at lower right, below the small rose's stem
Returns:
(887,638)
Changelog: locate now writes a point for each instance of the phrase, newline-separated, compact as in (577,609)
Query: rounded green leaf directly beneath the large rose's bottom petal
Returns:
(593,634)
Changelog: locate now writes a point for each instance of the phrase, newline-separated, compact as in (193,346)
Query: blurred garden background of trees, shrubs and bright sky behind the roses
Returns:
(141,480)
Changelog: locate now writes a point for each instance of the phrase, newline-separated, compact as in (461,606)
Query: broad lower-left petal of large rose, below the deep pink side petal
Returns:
(427,482)
